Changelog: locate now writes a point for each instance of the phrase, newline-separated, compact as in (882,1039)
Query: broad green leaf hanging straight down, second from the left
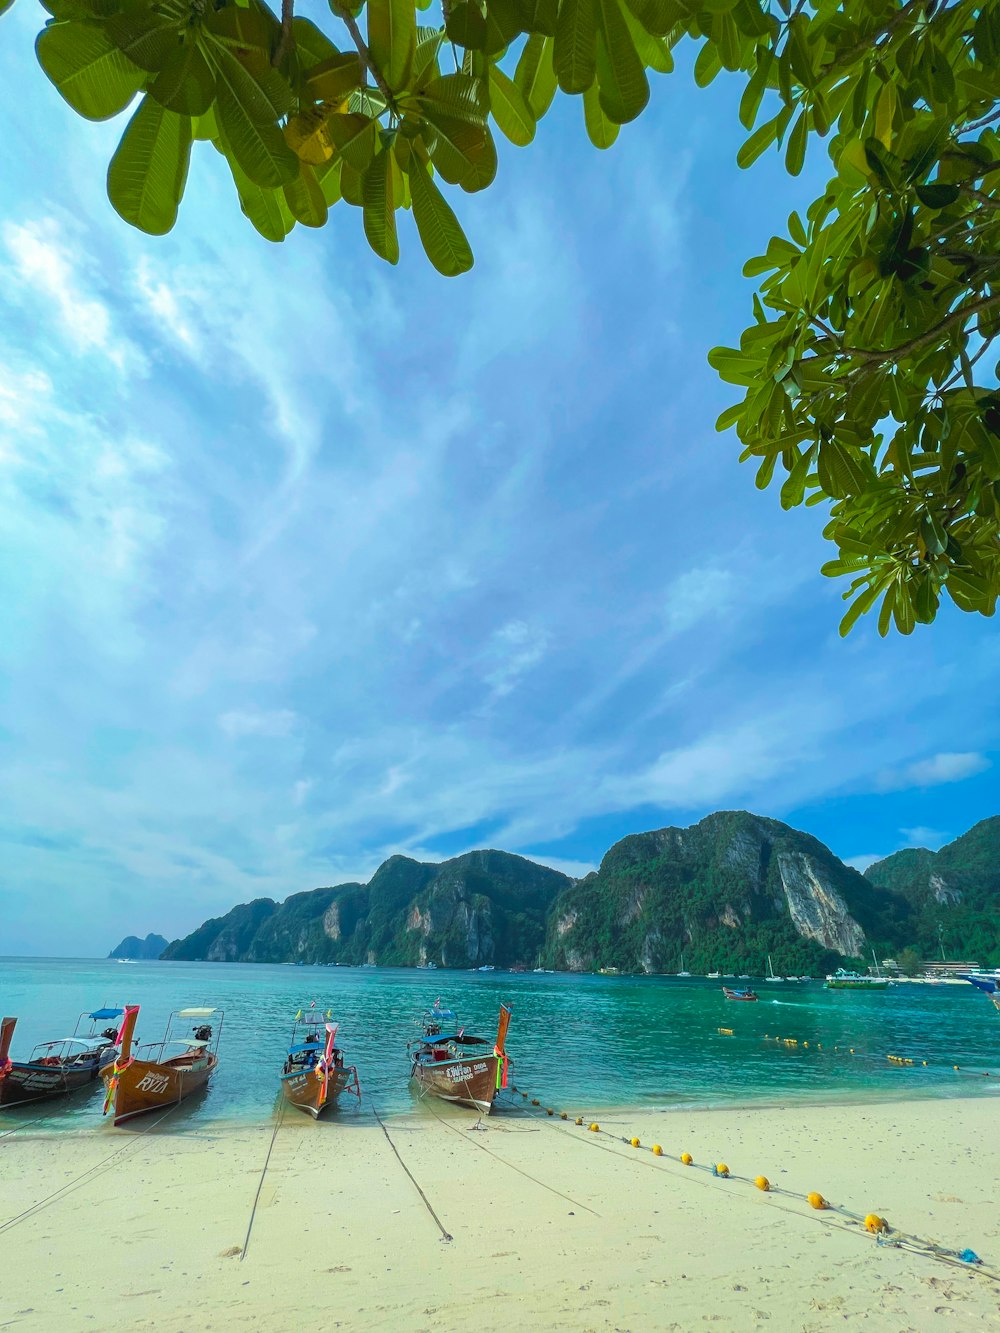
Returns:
(147,174)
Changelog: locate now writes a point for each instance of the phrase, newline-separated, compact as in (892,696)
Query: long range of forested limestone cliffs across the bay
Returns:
(718,896)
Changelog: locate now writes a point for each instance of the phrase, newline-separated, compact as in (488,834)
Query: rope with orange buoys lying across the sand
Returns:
(870,1224)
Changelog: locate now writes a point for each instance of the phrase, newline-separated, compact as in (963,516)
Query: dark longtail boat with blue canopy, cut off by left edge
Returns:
(61,1066)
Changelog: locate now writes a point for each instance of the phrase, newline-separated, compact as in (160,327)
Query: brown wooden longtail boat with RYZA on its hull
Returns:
(153,1079)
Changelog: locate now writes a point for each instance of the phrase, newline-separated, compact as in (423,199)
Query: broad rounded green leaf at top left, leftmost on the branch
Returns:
(87,69)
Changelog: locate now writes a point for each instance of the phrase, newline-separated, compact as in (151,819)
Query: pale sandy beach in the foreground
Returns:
(553,1227)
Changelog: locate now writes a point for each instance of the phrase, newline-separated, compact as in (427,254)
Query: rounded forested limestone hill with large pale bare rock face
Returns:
(721,896)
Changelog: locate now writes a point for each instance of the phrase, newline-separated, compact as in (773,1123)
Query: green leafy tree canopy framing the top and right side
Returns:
(867,370)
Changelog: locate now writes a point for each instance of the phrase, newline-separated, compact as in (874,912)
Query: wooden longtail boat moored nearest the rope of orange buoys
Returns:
(451,1064)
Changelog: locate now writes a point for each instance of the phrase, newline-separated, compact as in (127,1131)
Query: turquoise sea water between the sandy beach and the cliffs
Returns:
(581,1043)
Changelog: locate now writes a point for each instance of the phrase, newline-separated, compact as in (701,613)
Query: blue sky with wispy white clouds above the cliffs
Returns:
(306,561)
